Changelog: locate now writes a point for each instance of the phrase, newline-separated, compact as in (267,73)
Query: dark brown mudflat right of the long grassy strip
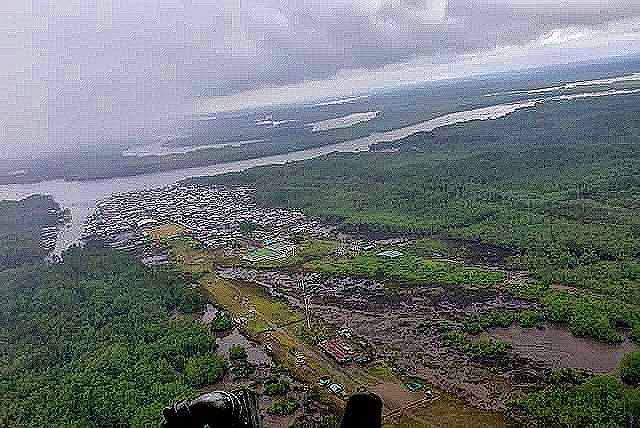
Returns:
(403,324)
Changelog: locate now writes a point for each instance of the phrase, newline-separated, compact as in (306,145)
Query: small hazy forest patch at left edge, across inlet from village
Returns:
(20,226)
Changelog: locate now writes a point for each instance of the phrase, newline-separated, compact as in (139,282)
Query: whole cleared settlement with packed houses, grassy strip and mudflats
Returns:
(337,333)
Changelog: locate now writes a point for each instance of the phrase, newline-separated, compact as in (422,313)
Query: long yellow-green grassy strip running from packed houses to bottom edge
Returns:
(270,321)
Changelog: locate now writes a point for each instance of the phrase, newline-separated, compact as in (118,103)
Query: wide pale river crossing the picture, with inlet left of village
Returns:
(81,196)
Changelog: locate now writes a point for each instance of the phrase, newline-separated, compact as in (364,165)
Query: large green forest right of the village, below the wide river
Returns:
(557,186)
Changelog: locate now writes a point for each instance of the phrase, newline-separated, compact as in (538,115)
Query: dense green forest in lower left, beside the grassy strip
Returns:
(99,340)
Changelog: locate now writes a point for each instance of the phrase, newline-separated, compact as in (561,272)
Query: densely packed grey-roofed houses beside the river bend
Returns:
(216,217)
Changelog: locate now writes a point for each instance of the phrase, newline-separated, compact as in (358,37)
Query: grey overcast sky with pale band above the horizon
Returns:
(79,70)
